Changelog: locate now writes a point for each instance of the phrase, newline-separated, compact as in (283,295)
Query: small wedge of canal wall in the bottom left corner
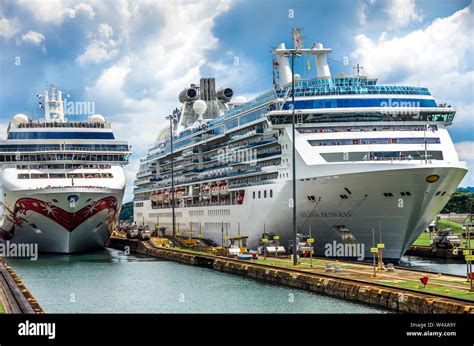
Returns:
(14,296)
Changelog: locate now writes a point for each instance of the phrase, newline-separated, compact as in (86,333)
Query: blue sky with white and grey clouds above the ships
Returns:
(130,59)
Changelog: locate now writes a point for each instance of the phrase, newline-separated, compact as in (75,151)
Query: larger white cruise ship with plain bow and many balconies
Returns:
(371,159)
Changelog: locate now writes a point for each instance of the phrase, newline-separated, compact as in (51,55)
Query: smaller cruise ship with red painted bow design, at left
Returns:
(63,181)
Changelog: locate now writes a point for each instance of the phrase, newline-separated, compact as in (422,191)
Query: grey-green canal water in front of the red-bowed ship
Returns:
(108,281)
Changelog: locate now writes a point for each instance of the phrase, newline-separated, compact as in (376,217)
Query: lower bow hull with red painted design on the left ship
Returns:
(47,217)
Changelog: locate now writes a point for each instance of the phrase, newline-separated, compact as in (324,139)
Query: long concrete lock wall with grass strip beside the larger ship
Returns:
(400,290)
